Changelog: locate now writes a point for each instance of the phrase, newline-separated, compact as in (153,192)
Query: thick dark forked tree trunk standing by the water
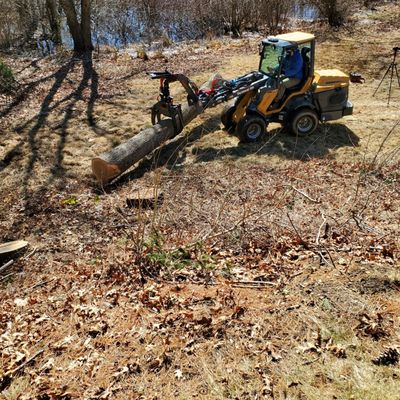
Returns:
(80,32)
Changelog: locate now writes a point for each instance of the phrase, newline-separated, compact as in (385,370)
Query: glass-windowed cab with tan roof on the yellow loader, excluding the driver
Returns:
(272,51)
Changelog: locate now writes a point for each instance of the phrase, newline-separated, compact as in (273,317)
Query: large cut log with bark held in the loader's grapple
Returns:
(110,165)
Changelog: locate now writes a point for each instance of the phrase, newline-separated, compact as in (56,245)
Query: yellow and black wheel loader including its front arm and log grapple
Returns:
(321,95)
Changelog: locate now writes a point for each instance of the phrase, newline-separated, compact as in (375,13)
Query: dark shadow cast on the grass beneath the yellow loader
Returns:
(278,142)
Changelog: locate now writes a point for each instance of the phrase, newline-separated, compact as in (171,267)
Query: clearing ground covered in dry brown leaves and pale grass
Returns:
(267,270)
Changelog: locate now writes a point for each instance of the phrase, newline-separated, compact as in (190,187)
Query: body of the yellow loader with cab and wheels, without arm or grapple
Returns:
(321,95)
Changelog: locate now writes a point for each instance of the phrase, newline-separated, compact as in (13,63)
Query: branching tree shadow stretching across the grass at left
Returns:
(29,130)
